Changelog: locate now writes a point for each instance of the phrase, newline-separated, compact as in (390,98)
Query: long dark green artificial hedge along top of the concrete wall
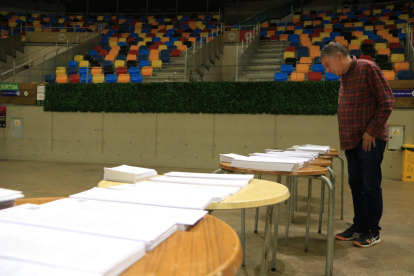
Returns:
(289,98)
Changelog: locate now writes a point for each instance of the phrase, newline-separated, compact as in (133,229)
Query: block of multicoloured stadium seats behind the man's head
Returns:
(379,38)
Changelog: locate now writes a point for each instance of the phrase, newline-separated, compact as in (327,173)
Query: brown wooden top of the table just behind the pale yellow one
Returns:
(308,170)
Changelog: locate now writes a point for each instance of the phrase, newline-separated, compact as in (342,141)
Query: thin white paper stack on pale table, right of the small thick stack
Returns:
(201,181)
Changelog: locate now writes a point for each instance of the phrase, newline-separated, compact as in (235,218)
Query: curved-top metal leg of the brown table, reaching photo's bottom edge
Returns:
(330,234)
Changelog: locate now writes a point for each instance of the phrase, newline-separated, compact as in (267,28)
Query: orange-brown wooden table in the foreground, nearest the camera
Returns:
(211,247)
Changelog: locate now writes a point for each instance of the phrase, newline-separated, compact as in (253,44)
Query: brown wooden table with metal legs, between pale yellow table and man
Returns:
(311,172)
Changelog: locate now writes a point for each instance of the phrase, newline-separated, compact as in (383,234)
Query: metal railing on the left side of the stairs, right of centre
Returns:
(247,51)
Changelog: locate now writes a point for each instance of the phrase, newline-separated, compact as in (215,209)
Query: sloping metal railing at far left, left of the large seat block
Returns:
(35,68)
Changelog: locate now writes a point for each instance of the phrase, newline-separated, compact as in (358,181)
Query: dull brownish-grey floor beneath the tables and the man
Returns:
(394,256)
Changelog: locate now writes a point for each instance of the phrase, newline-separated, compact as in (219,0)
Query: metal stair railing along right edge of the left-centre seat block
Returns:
(199,59)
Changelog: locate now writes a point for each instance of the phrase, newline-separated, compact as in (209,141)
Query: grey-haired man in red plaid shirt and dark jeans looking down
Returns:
(364,105)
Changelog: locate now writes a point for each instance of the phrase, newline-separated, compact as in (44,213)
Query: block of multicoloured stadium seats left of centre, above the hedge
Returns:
(140,48)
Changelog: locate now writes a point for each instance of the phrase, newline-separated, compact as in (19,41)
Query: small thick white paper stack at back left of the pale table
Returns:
(128,174)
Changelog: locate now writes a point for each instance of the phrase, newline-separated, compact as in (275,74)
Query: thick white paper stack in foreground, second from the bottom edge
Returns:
(79,252)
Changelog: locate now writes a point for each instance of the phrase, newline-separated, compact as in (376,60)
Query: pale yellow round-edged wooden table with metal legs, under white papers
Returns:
(259,193)
